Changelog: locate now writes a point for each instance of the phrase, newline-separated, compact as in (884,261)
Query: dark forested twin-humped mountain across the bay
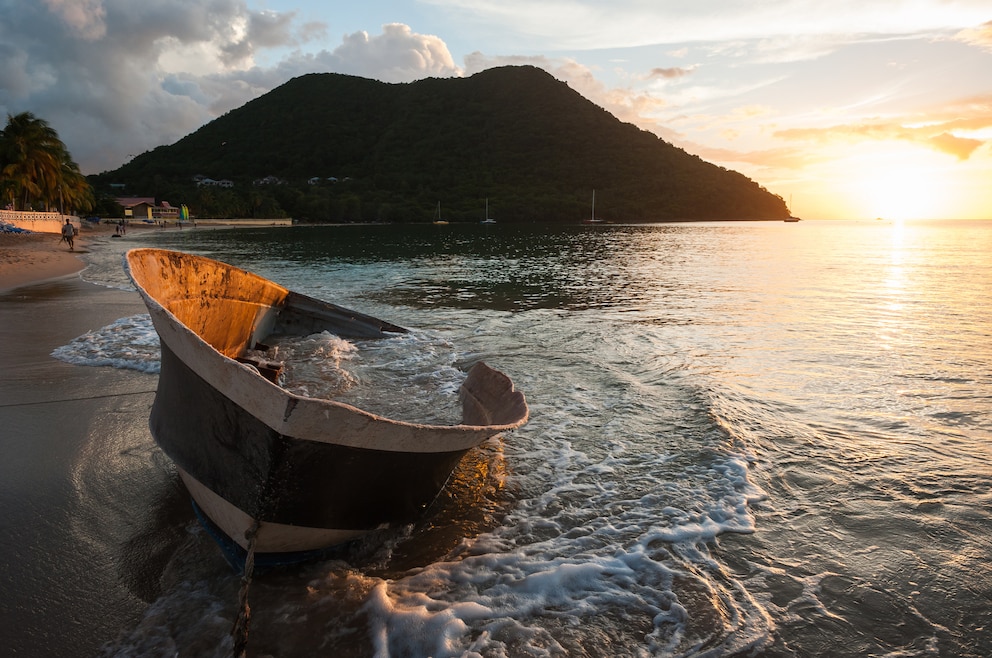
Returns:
(390,152)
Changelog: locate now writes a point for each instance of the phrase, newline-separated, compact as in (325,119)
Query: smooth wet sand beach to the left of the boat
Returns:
(86,501)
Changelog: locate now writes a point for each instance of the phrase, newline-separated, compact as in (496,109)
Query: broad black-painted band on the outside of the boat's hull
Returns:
(283,479)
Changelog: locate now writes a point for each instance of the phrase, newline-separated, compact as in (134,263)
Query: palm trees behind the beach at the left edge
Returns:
(36,170)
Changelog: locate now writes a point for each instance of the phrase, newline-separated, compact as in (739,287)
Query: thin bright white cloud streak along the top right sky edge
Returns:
(592,24)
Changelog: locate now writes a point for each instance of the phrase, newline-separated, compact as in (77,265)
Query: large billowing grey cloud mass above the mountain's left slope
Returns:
(116,78)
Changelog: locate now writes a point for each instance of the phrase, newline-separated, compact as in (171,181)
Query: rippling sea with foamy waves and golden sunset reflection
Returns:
(746,439)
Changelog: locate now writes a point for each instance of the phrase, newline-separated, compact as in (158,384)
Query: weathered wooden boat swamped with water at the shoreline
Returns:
(289,473)
